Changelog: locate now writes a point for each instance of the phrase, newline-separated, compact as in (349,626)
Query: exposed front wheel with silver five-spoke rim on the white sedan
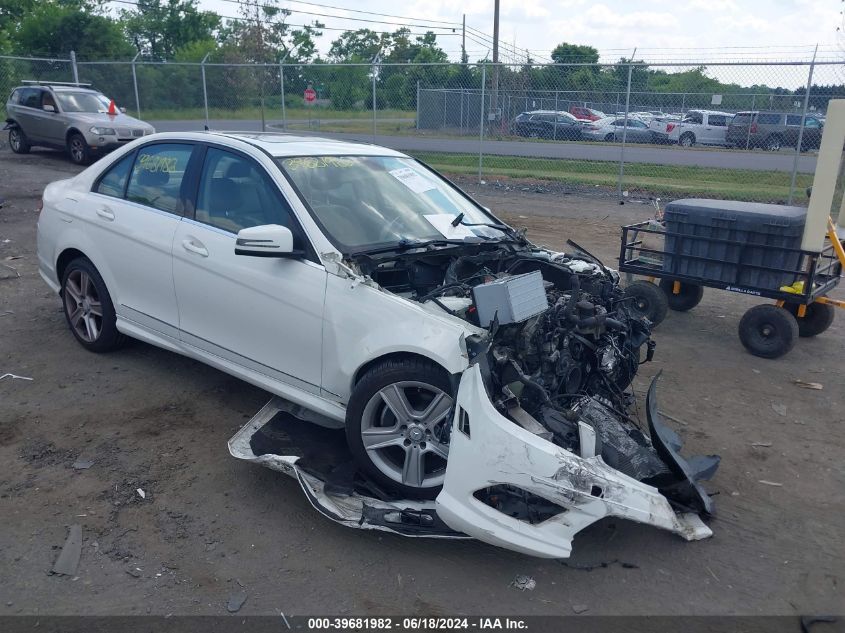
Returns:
(397,425)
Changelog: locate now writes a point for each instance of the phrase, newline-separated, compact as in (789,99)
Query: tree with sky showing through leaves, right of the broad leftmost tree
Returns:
(159,28)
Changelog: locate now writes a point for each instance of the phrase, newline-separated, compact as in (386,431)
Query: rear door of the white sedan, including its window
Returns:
(134,210)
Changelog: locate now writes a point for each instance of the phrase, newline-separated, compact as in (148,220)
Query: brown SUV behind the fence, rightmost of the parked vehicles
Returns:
(774,130)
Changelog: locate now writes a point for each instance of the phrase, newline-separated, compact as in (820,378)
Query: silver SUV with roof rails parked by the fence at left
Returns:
(68,116)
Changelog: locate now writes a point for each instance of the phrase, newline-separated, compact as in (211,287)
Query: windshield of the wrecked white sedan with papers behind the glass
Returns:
(373,201)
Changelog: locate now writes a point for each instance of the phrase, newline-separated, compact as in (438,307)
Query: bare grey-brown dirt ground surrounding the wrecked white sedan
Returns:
(211,526)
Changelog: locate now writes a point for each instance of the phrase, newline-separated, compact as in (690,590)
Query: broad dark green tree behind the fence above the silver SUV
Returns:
(55,28)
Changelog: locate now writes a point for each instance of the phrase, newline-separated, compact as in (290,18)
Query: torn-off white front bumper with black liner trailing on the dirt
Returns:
(489,452)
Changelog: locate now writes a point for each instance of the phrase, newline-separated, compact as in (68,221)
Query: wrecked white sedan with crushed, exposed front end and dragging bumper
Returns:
(436,374)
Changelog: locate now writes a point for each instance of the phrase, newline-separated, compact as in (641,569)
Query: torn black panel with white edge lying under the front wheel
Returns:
(318,458)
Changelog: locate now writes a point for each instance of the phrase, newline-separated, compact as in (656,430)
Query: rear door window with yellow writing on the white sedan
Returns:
(156,179)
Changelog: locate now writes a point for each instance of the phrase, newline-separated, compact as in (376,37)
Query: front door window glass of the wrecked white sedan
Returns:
(236,193)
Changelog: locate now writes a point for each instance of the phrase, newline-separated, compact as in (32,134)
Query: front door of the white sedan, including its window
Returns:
(265,314)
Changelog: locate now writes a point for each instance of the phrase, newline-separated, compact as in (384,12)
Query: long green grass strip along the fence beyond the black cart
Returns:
(735,184)
